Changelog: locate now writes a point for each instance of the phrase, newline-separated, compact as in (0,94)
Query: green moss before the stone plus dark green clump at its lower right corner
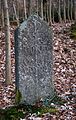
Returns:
(21,110)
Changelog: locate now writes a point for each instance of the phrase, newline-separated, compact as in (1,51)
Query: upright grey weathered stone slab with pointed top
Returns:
(33,54)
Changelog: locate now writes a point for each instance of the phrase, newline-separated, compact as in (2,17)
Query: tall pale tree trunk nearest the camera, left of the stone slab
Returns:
(8,44)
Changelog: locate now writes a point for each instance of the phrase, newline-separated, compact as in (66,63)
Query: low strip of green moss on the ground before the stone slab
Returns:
(20,111)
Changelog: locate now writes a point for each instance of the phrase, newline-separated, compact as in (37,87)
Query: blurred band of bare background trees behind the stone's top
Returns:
(49,10)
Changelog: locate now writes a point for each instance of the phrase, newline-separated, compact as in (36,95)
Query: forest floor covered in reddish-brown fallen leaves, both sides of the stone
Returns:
(64,62)
